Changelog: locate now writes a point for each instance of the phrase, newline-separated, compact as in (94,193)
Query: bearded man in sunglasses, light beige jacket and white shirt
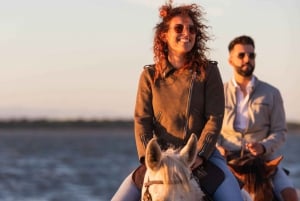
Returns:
(254,118)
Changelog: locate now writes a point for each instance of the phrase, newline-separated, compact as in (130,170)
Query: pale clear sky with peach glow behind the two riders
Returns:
(82,58)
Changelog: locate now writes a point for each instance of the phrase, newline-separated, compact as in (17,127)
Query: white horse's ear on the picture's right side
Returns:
(189,152)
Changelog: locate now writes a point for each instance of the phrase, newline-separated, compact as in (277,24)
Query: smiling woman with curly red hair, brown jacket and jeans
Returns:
(181,94)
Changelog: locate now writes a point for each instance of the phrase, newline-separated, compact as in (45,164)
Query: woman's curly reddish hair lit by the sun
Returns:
(196,58)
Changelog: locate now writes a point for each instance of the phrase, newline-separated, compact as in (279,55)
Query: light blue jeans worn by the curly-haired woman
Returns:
(229,190)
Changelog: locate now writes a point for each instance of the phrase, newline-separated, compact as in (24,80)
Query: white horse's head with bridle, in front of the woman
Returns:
(168,175)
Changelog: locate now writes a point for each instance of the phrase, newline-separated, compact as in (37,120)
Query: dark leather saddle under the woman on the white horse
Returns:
(208,176)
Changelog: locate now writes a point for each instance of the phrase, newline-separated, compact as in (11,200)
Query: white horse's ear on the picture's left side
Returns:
(153,155)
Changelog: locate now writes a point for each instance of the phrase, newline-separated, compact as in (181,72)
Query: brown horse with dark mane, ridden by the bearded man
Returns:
(255,175)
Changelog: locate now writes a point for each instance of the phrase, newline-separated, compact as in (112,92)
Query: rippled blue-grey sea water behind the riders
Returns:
(81,164)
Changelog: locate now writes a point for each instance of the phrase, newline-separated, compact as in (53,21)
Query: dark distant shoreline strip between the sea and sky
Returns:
(81,123)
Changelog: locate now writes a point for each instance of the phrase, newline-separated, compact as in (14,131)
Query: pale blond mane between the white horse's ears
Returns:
(174,170)
